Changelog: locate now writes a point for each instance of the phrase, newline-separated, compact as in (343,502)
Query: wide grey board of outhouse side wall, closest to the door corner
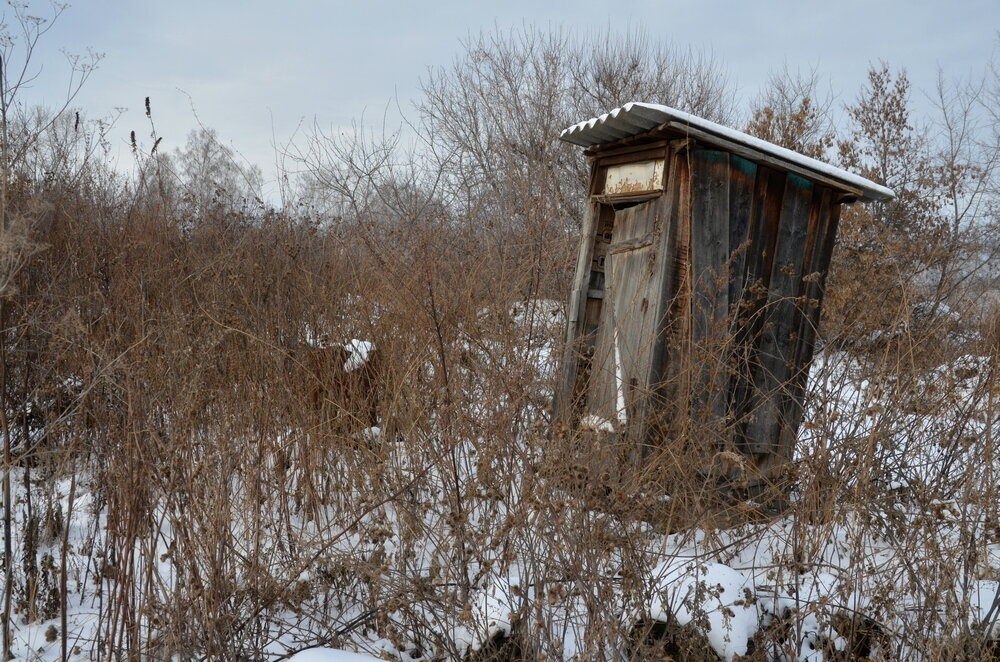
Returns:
(710,277)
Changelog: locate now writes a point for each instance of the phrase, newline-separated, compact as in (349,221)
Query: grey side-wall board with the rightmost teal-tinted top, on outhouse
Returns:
(772,369)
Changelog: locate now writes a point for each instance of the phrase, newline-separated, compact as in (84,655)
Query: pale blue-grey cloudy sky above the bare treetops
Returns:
(251,68)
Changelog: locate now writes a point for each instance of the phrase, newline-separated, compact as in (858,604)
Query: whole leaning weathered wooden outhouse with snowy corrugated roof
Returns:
(698,283)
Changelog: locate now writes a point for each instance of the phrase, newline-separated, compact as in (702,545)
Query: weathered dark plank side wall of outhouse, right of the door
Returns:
(761,248)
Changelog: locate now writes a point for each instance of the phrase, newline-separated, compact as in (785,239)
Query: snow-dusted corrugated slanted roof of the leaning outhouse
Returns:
(636,118)
